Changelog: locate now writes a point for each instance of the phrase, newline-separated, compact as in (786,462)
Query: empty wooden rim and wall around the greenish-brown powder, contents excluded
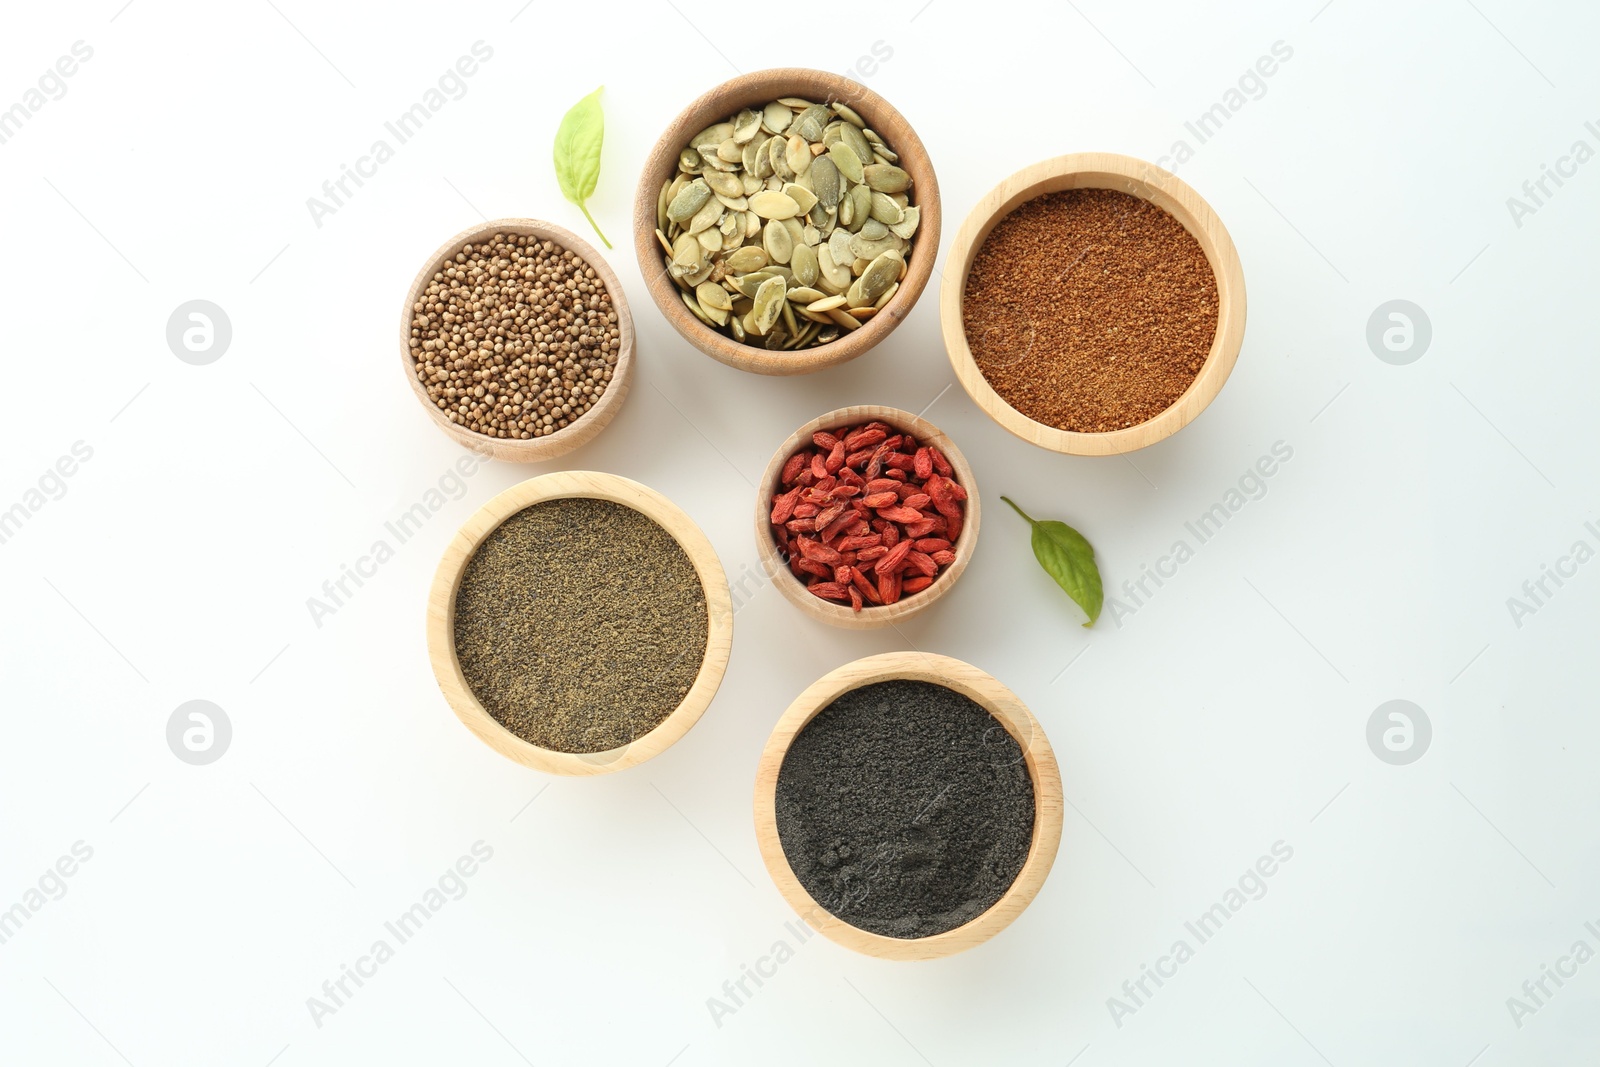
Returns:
(442,620)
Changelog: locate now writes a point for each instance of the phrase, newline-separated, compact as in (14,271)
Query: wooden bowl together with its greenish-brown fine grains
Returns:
(580,623)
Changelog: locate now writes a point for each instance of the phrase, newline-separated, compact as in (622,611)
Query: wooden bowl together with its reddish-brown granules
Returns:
(1094,305)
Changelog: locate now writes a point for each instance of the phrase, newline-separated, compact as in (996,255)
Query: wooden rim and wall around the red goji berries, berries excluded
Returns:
(871,617)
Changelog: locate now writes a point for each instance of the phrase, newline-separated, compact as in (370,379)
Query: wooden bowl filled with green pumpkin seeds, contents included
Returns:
(788,222)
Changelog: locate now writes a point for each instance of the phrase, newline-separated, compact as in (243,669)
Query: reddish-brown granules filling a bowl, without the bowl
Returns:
(1090,310)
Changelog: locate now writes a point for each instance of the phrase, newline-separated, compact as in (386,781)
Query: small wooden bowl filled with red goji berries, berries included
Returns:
(866,516)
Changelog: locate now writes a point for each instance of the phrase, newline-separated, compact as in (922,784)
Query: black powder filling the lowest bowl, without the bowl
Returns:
(905,809)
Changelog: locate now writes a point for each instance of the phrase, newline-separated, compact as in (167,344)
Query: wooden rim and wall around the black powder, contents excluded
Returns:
(1007,709)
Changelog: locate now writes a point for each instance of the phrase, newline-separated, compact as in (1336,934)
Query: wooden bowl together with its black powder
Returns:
(908,807)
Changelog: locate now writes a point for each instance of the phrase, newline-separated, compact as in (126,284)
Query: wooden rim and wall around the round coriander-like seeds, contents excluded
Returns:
(593,422)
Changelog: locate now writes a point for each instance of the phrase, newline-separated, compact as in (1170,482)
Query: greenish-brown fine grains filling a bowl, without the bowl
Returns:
(580,625)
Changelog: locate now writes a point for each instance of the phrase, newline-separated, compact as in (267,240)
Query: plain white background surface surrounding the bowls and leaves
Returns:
(1226,714)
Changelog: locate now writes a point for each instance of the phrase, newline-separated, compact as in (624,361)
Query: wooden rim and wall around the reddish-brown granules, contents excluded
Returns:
(1098,170)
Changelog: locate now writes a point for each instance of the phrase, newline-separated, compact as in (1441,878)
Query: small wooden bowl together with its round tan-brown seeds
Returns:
(518,340)
